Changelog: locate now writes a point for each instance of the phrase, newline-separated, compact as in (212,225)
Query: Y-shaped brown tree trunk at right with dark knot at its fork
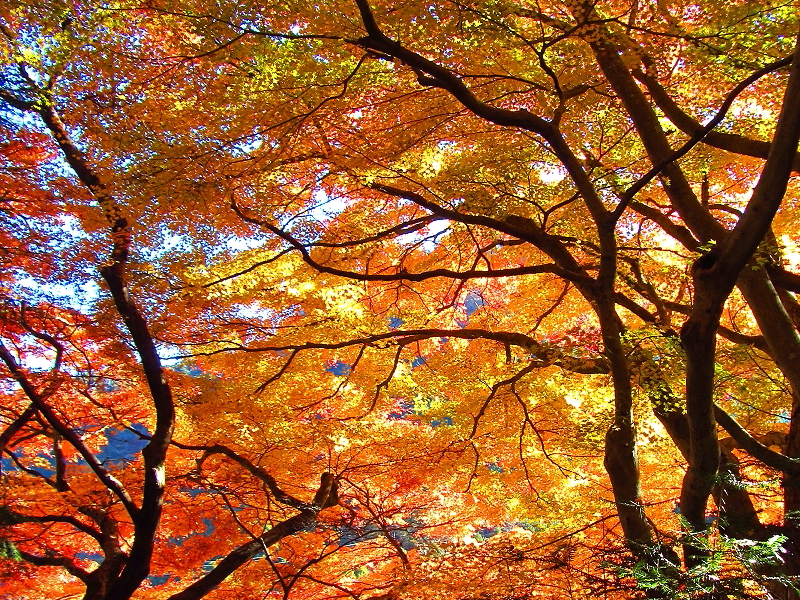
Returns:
(716,272)
